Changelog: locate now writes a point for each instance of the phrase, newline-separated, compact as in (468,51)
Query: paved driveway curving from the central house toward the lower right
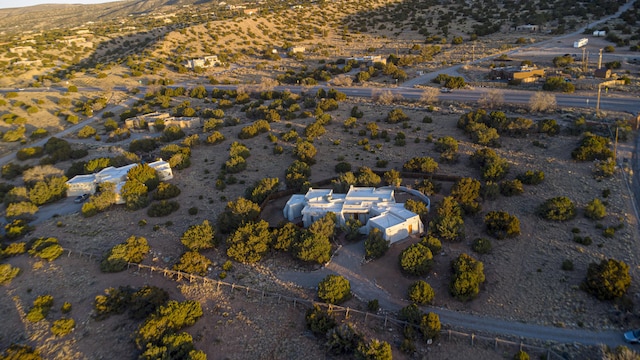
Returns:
(347,262)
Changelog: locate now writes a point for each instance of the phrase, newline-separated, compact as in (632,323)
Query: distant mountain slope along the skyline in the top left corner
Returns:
(46,17)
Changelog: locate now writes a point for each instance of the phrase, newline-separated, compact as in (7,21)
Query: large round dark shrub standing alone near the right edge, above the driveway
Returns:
(607,280)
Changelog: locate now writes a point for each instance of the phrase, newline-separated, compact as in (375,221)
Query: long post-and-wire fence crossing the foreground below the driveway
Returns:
(382,320)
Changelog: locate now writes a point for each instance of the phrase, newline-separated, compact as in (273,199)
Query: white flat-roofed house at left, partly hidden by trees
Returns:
(87,184)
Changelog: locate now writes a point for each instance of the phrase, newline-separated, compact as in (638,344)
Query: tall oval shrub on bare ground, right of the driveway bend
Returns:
(468,275)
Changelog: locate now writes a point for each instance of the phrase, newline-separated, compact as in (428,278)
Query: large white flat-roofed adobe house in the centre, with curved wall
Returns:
(374,207)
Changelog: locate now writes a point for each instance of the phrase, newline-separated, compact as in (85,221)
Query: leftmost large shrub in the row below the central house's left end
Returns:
(249,242)
